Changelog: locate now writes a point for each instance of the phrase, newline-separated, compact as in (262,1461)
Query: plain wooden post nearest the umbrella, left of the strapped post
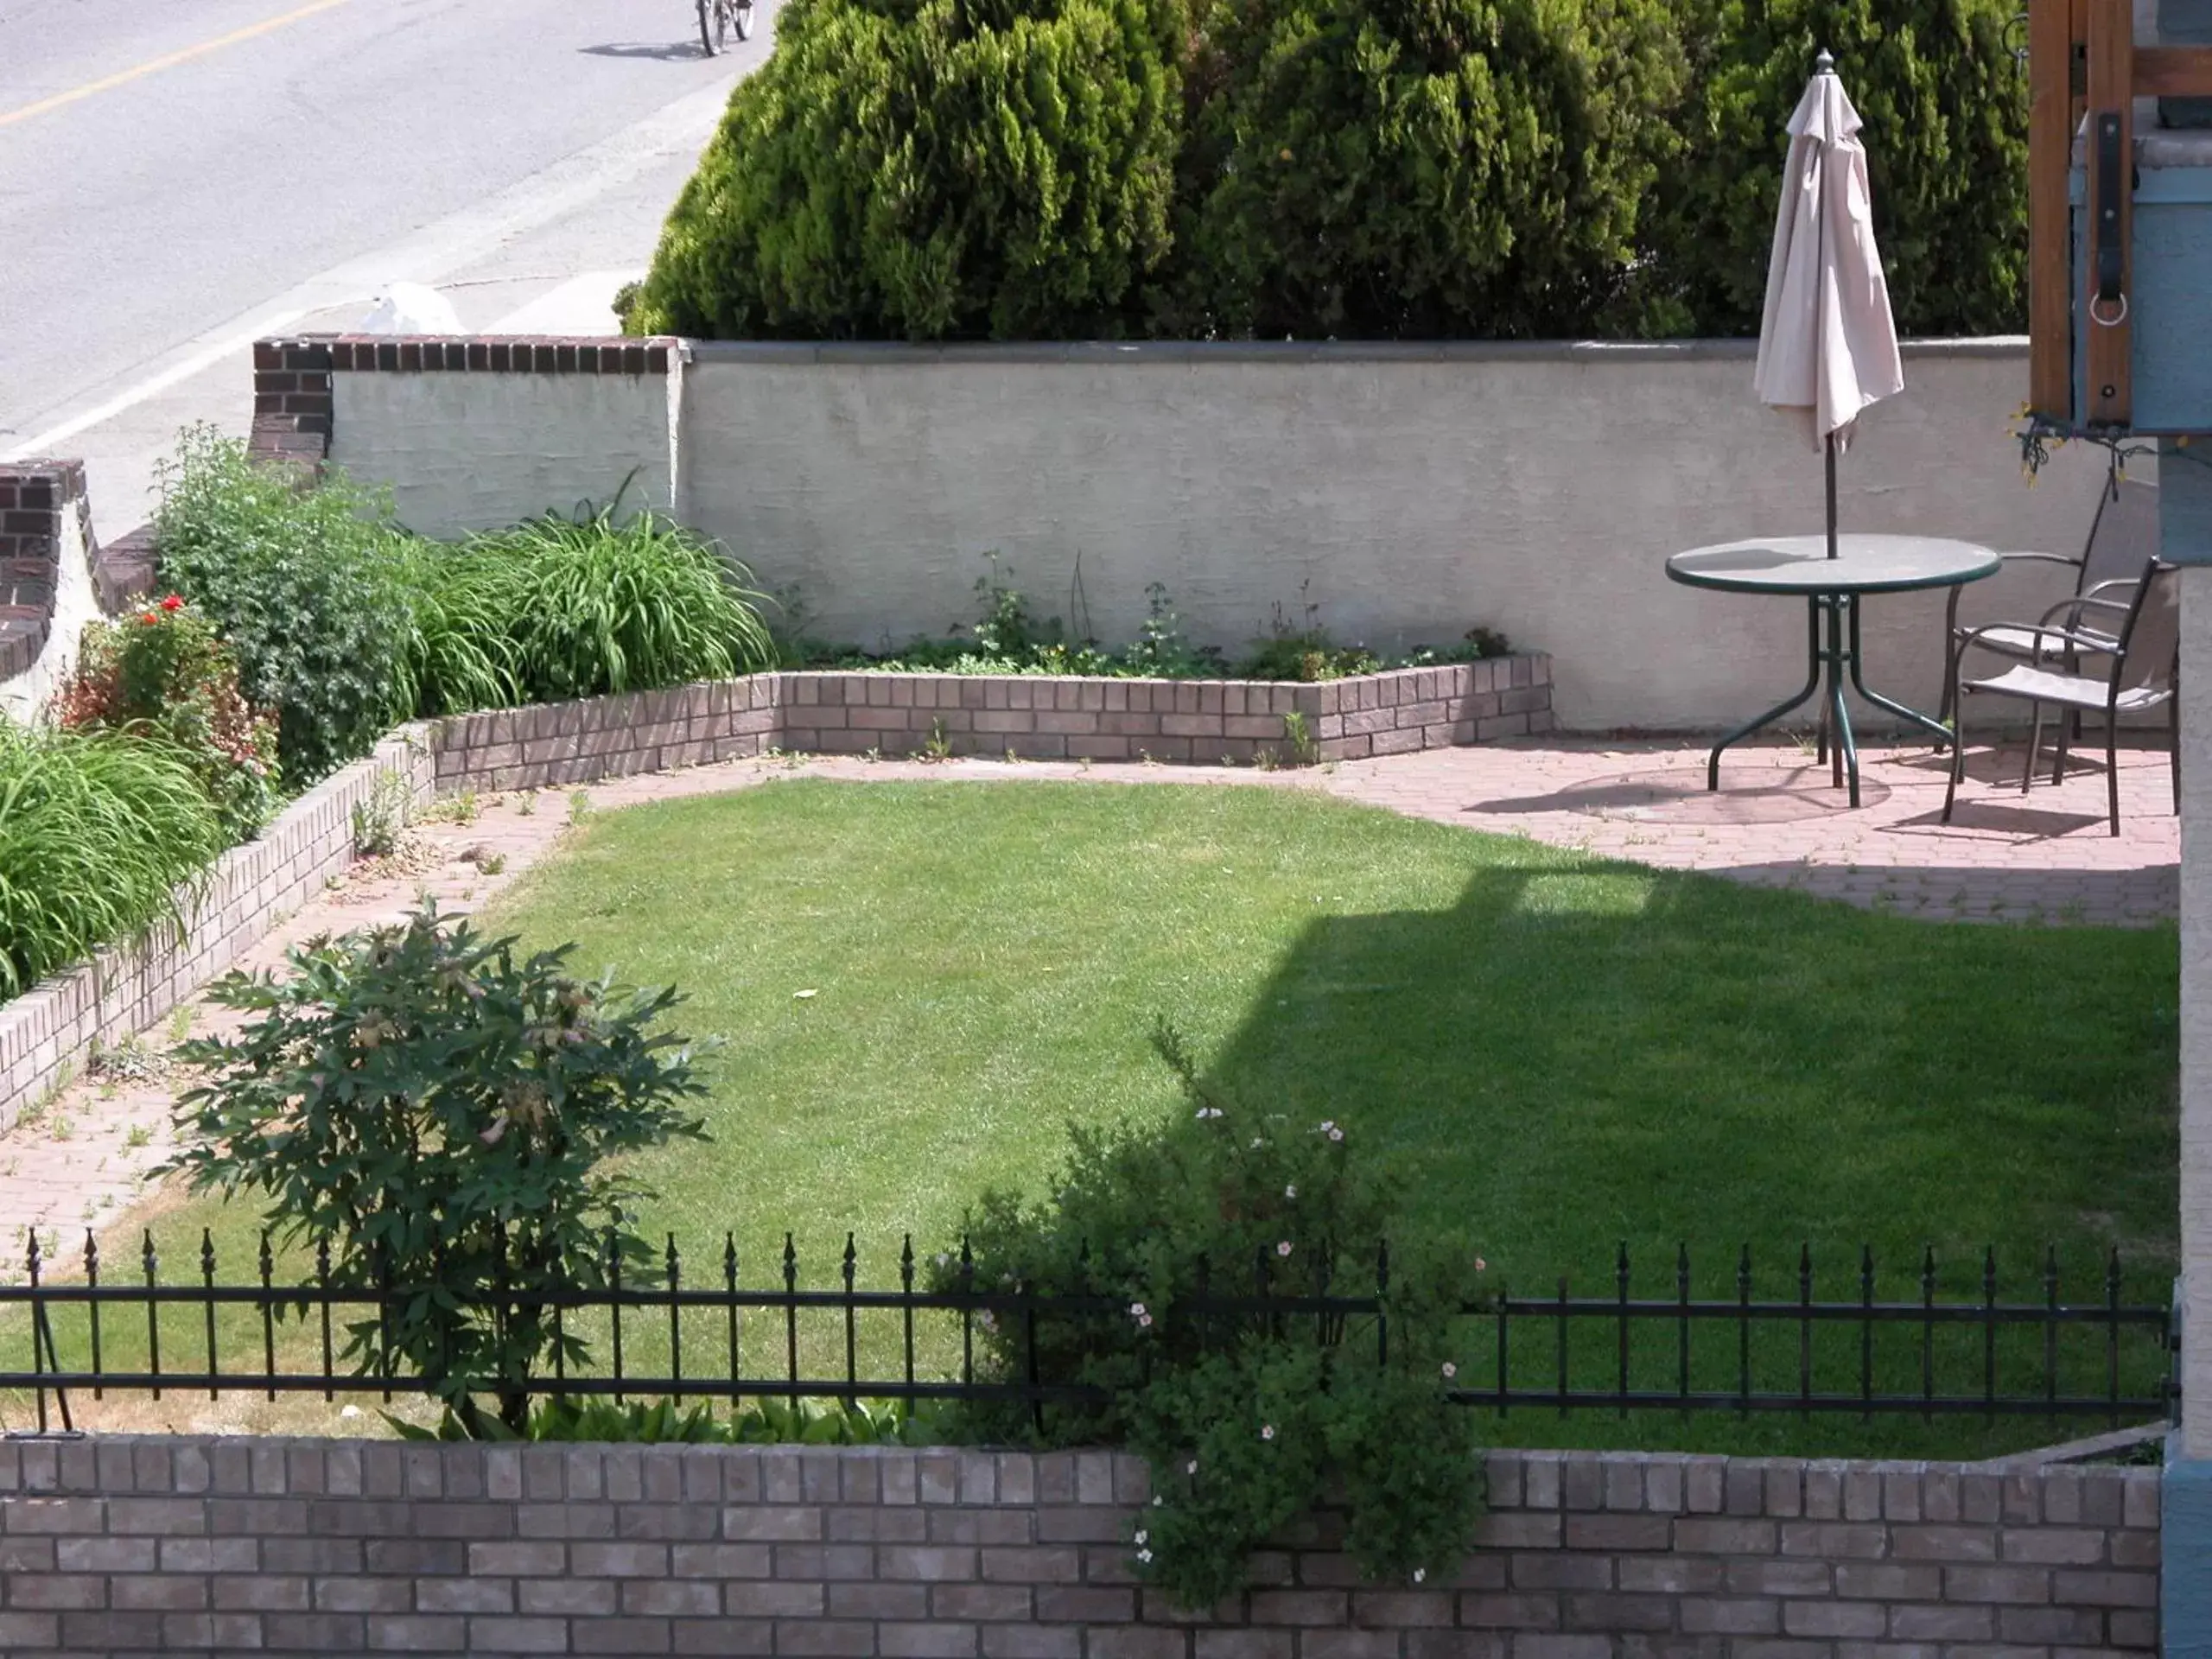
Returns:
(2052,125)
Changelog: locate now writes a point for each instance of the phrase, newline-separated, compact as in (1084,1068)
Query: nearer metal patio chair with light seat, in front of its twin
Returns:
(2147,662)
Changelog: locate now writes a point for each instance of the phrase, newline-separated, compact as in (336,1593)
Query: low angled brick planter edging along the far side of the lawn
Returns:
(1034,718)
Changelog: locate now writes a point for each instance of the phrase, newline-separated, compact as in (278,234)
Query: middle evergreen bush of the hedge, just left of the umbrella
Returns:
(1419,169)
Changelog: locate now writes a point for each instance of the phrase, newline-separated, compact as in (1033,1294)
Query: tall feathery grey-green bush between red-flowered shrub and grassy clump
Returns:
(302,583)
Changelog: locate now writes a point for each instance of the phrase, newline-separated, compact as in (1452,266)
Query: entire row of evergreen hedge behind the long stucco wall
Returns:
(1355,169)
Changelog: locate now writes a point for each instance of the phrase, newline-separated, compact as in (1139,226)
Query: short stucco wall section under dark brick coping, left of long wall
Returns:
(466,452)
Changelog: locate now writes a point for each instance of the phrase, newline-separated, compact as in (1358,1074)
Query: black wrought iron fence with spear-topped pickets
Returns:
(1932,1353)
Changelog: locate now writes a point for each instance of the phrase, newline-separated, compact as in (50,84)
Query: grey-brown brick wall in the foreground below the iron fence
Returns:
(163,1545)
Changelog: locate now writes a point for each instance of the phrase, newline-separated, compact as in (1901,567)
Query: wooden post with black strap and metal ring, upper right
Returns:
(2111,209)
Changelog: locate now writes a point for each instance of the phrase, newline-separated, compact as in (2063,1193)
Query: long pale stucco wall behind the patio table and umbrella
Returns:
(1410,492)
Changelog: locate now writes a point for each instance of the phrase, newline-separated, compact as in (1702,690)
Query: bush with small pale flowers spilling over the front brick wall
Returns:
(1249,1421)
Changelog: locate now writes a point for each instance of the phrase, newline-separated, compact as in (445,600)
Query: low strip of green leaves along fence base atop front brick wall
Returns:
(764,1423)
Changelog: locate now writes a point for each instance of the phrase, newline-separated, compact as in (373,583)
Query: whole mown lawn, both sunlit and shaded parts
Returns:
(919,990)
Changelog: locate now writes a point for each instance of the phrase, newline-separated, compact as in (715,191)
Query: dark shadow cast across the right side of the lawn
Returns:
(1576,1061)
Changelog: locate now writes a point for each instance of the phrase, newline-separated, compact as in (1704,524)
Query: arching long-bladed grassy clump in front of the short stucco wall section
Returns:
(576,607)
